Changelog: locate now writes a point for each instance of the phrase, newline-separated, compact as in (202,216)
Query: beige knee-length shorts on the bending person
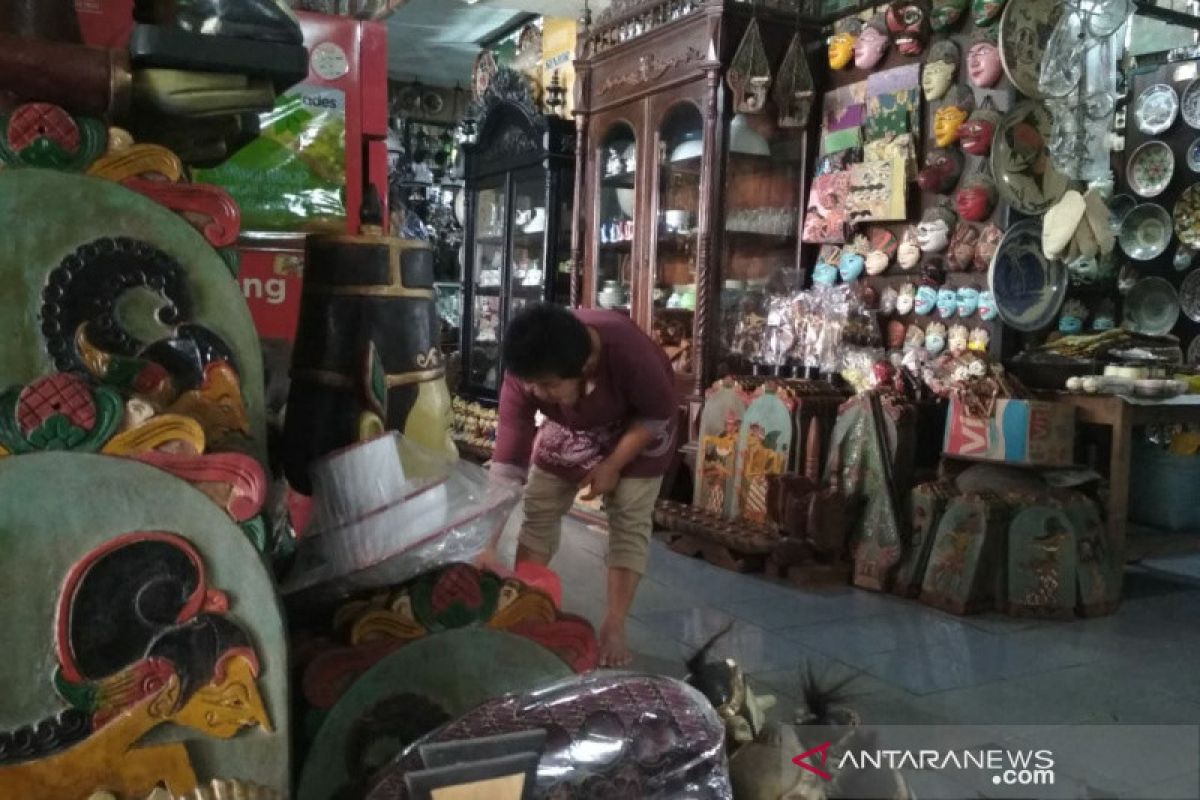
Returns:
(631,509)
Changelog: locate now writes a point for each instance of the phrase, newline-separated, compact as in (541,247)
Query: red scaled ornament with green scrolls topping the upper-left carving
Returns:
(41,135)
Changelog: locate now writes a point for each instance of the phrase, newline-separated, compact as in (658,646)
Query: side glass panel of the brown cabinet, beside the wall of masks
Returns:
(761,236)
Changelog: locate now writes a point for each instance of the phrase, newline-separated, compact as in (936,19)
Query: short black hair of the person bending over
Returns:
(547,341)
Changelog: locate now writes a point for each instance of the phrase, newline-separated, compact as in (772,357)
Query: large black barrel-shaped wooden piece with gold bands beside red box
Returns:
(368,330)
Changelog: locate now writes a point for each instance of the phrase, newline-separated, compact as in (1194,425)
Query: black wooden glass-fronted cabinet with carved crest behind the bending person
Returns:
(520,176)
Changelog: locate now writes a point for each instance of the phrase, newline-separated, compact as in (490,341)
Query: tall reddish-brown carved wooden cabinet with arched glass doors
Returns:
(686,212)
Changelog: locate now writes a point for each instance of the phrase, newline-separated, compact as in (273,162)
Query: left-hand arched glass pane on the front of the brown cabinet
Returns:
(616,209)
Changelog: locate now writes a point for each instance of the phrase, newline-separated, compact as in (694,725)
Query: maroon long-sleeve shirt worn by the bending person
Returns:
(633,383)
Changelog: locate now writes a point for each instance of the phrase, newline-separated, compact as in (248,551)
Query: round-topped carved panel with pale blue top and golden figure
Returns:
(765,443)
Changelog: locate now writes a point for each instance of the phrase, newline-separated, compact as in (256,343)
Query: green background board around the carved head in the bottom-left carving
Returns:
(43,538)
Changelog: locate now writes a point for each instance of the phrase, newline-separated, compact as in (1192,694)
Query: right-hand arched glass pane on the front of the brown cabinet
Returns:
(676,236)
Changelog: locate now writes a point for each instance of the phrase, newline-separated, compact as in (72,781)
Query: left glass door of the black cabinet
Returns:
(488,276)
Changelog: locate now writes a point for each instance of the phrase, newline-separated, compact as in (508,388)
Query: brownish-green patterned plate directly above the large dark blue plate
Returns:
(1024,173)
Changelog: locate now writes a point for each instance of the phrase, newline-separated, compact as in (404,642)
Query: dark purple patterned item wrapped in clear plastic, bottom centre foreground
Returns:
(609,735)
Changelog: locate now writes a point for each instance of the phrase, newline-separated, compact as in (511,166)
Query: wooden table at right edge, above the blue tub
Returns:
(1123,416)
